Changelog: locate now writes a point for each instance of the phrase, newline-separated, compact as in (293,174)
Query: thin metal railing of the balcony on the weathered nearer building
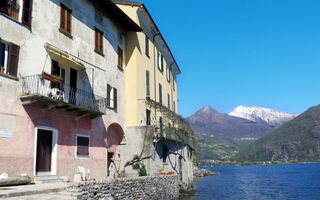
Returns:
(36,85)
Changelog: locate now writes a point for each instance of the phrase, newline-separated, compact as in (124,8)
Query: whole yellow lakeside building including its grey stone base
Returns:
(151,100)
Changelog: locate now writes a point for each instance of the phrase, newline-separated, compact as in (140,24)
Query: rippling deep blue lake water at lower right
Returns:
(265,182)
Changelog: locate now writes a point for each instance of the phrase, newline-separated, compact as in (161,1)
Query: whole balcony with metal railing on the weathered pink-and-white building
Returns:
(53,94)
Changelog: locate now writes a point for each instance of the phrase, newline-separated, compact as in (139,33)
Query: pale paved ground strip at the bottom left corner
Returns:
(47,196)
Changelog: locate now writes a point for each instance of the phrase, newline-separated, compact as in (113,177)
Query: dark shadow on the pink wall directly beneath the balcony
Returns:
(68,125)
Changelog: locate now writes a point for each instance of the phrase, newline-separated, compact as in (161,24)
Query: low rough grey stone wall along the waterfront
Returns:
(148,187)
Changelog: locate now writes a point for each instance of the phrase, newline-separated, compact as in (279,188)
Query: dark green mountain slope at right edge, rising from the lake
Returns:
(296,140)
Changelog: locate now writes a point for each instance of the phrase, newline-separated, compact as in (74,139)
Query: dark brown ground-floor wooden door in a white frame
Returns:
(44,151)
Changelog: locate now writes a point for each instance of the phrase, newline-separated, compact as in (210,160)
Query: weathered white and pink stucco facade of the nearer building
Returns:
(29,101)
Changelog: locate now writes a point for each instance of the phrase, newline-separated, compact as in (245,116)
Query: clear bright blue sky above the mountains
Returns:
(243,52)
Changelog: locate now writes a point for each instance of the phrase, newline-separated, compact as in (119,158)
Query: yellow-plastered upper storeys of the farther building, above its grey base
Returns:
(151,69)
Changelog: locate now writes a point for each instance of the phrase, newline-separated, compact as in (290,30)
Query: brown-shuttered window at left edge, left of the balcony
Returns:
(9,58)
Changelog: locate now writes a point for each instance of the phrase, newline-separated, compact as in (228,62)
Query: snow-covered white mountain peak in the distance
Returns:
(262,115)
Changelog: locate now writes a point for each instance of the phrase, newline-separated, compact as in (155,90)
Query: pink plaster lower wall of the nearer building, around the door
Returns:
(17,153)
